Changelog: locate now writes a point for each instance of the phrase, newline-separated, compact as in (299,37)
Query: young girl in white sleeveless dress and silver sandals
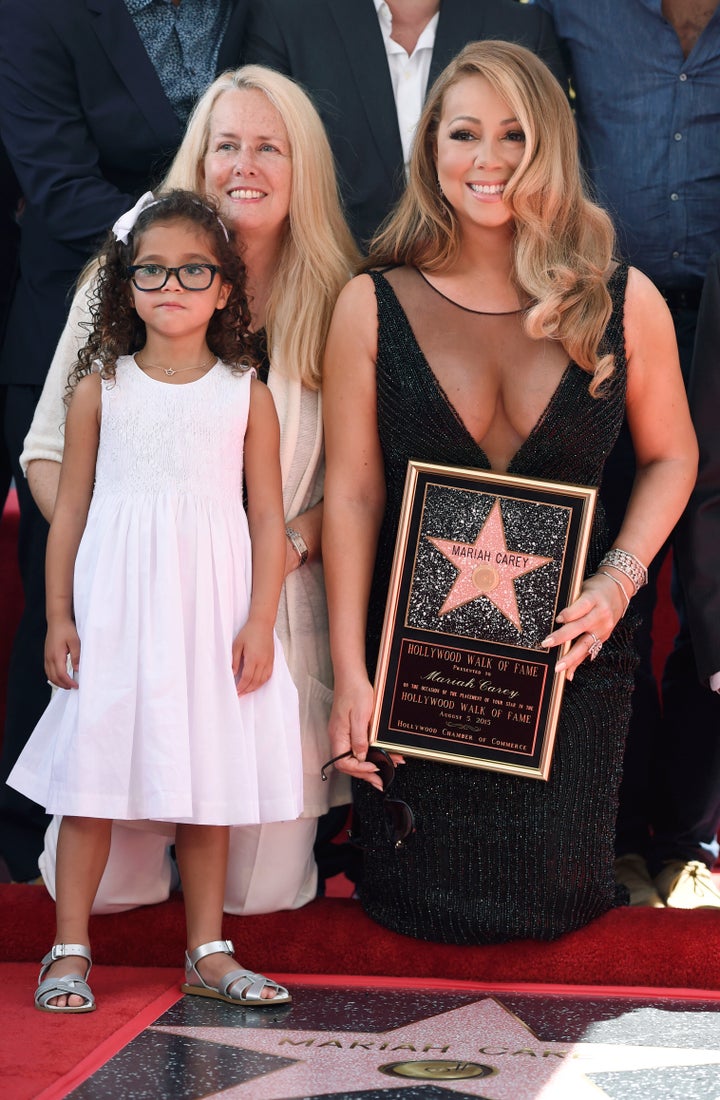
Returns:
(180,707)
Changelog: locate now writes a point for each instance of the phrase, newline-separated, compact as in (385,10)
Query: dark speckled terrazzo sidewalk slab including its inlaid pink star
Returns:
(341,1041)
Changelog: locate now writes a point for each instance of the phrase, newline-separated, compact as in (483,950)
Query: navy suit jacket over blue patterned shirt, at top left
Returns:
(87,128)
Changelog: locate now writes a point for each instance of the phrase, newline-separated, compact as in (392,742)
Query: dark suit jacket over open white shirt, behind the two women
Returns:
(335,49)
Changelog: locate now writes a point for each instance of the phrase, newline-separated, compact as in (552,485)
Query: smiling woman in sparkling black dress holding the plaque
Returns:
(494,329)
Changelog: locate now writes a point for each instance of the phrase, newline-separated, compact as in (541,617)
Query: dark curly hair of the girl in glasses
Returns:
(116,328)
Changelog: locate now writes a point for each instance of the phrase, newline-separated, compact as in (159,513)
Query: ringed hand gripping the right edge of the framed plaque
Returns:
(590,620)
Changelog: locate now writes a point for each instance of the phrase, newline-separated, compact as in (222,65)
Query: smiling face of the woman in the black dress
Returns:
(480,146)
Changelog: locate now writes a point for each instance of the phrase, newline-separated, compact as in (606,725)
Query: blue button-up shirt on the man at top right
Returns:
(650,130)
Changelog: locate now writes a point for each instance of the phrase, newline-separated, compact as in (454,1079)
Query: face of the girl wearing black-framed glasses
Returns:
(174,312)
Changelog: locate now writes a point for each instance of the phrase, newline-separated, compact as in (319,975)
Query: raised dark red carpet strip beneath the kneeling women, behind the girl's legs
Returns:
(626,948)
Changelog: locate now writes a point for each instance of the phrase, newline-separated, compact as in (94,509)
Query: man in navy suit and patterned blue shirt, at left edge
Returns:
(91,115)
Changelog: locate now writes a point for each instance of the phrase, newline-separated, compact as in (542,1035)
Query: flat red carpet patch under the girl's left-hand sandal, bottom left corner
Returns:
(131,1000)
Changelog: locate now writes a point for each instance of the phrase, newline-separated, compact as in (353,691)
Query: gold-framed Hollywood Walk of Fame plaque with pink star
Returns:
(483,565)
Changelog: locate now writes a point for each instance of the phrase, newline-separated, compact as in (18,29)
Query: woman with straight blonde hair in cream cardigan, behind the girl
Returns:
(257,146)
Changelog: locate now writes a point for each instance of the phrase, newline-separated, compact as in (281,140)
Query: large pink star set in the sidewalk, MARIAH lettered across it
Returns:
(479,1051)
